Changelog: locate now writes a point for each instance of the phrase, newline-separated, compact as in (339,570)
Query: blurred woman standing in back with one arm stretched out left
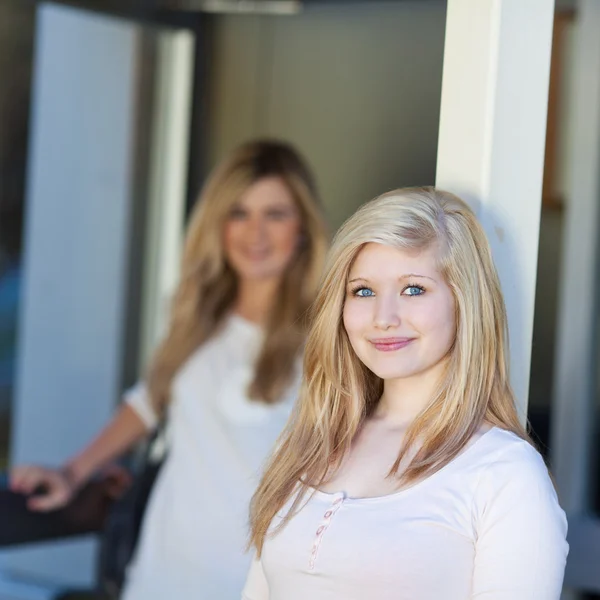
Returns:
(227,371)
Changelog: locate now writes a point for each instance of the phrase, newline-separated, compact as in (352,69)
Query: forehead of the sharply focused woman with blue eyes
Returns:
(377,261)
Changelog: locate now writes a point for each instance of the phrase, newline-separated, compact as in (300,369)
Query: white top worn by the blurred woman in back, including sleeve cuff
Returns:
(195,528)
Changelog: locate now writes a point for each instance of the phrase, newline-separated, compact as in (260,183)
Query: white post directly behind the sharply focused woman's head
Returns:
(492,139)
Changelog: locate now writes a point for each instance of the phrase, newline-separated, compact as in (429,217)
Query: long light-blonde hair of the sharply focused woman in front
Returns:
(339,392)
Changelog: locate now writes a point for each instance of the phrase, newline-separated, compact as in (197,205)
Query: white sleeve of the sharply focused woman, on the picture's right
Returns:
(521,547)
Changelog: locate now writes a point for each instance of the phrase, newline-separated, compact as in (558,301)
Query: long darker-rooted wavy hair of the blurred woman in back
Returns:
(208,285)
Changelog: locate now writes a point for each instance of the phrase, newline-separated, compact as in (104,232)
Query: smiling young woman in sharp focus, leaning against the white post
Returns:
(404,473)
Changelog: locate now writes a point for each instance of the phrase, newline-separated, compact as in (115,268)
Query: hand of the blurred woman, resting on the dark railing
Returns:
(57,490)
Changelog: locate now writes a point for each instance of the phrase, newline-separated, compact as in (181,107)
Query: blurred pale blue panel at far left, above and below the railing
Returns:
(78,208)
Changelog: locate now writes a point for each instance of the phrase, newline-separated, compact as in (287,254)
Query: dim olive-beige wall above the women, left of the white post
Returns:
(355,87)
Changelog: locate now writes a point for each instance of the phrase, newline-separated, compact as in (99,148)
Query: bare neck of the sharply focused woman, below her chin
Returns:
(404,399)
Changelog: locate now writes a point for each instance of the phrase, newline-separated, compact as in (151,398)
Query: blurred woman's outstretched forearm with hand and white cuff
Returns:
(130,424)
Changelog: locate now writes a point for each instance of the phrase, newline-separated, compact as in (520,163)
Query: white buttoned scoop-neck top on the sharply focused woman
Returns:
(486,526)
